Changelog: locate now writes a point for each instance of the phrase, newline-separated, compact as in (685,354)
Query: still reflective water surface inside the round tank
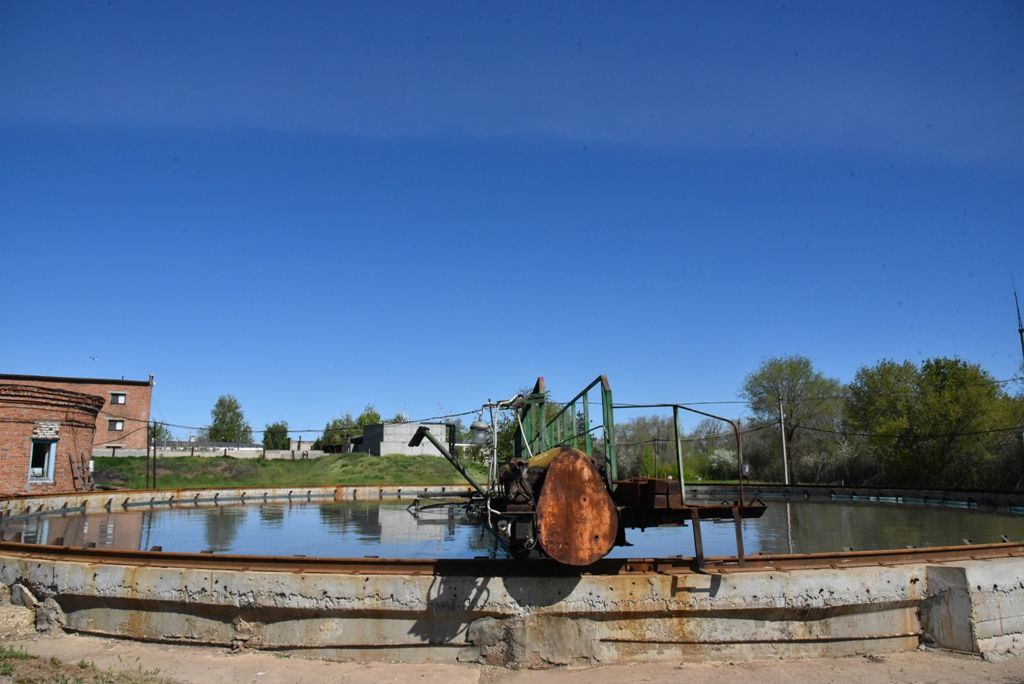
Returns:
(389,531)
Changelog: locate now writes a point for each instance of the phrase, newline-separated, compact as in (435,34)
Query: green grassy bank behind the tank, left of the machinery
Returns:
(336,469)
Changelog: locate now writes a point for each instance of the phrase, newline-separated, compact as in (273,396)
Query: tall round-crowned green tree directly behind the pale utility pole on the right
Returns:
(812,403)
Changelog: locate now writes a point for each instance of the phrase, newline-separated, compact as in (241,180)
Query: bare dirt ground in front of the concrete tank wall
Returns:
(76,659)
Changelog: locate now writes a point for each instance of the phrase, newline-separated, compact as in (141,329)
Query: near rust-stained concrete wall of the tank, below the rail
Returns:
(537,621)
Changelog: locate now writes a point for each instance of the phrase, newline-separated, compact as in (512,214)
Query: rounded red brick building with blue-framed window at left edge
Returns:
(42,432)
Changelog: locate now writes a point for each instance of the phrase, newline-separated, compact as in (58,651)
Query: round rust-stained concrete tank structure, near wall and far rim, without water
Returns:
(968,597)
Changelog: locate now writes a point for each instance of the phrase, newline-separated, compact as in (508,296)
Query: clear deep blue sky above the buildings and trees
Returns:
(315,206)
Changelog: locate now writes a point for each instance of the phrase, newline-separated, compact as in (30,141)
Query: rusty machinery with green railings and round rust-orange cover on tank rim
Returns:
(559,496)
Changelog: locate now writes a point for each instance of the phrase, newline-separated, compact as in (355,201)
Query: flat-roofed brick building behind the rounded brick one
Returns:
(122,422)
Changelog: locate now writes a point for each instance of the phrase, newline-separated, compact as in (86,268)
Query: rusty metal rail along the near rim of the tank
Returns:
(506,568)
